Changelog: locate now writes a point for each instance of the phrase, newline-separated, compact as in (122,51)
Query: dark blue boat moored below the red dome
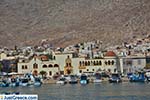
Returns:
(115,78)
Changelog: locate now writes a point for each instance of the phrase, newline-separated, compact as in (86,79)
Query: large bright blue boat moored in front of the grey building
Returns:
(138,77)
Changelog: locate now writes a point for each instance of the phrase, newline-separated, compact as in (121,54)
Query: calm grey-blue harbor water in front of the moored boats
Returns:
(102,91)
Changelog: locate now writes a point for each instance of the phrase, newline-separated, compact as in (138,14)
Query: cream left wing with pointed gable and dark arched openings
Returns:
(37,64)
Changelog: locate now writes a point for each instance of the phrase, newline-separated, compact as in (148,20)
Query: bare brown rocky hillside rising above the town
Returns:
(63,22)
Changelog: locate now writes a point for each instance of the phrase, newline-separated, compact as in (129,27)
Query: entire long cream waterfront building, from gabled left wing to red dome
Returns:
(66,63)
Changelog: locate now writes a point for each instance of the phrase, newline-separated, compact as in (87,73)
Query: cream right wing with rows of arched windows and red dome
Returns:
(107,63)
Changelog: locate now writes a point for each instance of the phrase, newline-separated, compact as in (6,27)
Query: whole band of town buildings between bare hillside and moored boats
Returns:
(77,59)
